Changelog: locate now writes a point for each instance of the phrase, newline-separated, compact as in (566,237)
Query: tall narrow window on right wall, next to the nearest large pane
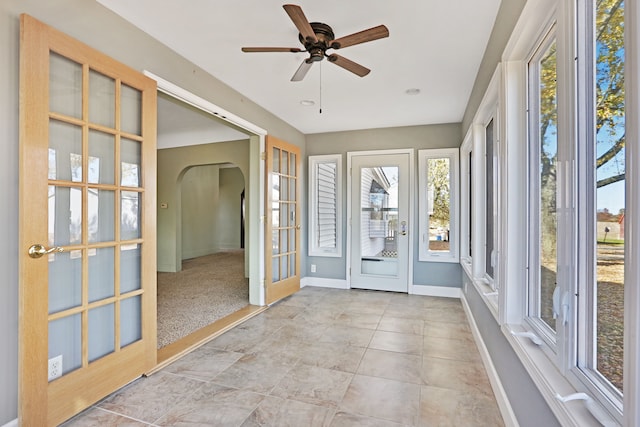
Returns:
(544,297)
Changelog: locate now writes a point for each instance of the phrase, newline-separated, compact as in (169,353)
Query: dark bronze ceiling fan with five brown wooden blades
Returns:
(317,38)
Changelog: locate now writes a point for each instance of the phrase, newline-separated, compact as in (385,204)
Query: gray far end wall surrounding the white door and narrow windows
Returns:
(415,137)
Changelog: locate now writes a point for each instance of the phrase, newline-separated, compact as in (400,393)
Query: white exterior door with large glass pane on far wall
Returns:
(379,217)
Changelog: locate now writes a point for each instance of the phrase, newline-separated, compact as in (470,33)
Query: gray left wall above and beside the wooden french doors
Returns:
(94,25)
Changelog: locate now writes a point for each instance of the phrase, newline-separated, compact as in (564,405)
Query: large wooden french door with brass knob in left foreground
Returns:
(87,225)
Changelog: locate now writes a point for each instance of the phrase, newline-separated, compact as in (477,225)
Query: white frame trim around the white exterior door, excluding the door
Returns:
(412,222)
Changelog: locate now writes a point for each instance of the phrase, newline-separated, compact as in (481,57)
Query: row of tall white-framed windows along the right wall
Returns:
(564,228)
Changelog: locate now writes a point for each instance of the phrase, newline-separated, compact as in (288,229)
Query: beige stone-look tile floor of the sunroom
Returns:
(322,357)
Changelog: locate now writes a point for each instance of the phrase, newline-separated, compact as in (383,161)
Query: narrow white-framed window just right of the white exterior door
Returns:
(439,203)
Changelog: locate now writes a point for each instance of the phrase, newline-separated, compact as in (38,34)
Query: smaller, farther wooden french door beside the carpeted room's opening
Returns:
(282,232)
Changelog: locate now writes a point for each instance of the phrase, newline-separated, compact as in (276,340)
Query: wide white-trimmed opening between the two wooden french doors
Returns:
(203,156)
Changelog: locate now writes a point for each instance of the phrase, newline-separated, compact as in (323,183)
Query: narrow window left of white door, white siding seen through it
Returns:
(325,210)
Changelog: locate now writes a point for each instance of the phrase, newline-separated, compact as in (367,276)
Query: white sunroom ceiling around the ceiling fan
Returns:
(434,45)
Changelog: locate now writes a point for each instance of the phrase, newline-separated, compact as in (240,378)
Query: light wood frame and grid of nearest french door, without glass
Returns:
(49,403)
